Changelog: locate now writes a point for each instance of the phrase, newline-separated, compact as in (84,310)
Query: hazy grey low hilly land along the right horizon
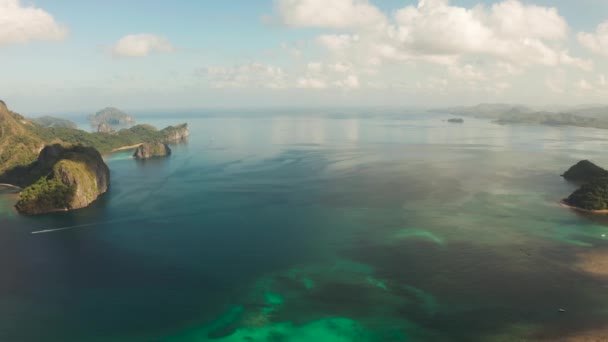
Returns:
(592,117)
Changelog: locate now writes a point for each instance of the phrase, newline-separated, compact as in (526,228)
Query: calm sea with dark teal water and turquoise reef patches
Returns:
(309,226)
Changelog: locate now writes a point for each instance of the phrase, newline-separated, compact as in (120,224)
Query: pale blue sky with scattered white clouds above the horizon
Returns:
(78,56)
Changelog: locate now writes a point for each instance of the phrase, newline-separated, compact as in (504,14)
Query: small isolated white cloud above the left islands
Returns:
(141,45)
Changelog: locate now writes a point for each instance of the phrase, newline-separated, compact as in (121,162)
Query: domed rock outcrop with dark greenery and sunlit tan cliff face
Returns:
(74,177)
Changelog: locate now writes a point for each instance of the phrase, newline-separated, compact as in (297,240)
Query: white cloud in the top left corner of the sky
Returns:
(21,24)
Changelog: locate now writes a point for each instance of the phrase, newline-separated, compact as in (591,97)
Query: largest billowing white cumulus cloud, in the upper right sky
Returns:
(509,31)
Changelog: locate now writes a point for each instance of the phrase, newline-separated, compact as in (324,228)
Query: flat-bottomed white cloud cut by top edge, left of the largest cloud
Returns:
(330,14)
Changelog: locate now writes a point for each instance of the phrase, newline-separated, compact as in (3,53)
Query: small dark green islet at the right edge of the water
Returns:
(593,194)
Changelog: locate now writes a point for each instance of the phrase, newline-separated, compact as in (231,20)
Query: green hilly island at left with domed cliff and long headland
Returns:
(61,168)
